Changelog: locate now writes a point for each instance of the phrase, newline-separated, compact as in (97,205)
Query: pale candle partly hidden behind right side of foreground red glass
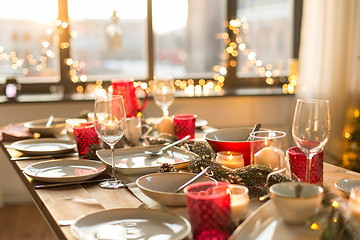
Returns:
(239,202)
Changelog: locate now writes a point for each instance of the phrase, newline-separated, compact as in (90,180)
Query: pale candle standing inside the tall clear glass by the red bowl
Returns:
(268,156)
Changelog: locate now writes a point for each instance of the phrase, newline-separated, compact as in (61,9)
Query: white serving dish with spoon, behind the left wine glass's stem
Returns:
(130,161)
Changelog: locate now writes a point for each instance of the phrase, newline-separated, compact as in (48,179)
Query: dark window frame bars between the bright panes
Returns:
(231,79)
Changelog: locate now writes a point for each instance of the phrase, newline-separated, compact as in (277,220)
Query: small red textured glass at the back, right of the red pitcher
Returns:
(185,125)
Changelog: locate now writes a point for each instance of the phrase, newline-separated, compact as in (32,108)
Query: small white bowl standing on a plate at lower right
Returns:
(292,209)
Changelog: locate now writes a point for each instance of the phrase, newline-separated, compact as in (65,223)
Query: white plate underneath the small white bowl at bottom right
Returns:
(265,224)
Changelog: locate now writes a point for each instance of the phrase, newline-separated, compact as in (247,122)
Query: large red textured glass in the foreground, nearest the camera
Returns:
(209,207)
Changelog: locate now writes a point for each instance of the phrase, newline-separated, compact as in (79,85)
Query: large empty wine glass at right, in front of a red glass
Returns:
(311,128)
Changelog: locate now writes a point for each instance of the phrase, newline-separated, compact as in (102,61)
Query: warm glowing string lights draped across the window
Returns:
(234,48)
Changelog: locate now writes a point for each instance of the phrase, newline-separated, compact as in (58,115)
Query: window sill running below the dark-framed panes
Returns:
(31,98)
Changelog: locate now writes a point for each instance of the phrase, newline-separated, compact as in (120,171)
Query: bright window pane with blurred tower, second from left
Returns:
(109,38)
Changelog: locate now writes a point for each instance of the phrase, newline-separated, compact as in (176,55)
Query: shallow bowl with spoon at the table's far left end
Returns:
(38,126)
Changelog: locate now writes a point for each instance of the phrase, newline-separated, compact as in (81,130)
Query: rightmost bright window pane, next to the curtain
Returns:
(266,37)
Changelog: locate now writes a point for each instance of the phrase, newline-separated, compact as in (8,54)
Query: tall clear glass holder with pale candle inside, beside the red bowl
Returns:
(268,148)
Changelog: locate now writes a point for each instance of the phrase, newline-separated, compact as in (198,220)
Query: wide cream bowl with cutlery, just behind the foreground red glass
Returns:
(161,187)
